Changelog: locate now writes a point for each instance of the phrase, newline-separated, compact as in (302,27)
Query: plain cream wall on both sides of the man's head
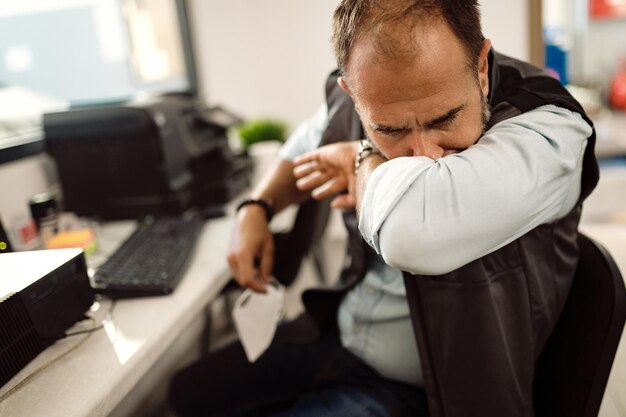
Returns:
(270,58)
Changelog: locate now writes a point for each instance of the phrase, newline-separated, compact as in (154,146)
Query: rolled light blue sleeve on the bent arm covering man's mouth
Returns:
(431,217)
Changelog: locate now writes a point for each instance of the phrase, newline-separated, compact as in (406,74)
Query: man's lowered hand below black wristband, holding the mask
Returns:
(251,252)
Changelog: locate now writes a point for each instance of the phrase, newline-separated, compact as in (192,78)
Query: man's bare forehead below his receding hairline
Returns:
(429,66)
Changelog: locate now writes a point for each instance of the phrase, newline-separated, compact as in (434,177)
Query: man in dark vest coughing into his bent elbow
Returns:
(468,189)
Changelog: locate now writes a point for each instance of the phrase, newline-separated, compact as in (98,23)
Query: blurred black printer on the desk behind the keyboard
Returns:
(155,157)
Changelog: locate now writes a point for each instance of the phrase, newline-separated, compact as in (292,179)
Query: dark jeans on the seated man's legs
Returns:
(318,379)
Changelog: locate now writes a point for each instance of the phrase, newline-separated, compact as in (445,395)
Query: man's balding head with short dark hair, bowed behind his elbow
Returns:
(416,88)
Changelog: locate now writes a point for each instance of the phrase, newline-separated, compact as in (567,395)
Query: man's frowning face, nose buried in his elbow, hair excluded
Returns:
(429,103)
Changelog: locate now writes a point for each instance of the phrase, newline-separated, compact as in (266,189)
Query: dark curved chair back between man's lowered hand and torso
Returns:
(291,247)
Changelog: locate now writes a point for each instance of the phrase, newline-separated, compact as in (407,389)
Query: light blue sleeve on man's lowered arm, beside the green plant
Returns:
(307,135)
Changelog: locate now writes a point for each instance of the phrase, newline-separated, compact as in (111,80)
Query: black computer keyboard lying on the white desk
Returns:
(152,260)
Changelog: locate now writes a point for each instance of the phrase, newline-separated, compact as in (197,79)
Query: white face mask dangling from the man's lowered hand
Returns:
(256,317)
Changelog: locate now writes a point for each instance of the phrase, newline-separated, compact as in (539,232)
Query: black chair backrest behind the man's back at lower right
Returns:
(574,367)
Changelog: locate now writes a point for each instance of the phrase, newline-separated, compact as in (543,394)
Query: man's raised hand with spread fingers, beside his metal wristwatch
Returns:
(328,171)
